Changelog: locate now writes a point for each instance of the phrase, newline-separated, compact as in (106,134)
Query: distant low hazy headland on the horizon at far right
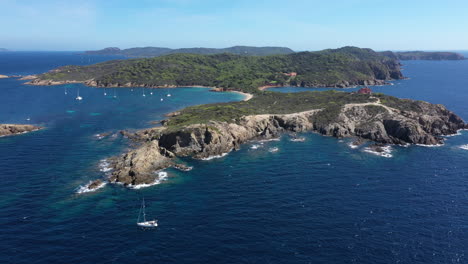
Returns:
(423,55)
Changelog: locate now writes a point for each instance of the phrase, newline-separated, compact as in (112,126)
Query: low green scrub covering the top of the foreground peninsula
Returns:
(269,103)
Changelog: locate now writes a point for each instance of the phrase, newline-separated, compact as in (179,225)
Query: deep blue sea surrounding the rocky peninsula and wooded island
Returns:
(317,201)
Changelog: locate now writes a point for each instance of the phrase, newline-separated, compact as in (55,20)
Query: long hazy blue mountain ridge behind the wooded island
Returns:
(158,51)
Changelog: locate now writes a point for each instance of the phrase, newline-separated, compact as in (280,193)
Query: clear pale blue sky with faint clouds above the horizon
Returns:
(298,24)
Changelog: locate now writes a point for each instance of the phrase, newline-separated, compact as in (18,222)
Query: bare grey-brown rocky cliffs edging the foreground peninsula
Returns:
(371,121)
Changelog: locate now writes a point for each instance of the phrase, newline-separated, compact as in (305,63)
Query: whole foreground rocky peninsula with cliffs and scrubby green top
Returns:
(213,130)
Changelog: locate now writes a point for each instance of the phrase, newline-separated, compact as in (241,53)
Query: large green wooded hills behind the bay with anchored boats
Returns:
(338,67)
